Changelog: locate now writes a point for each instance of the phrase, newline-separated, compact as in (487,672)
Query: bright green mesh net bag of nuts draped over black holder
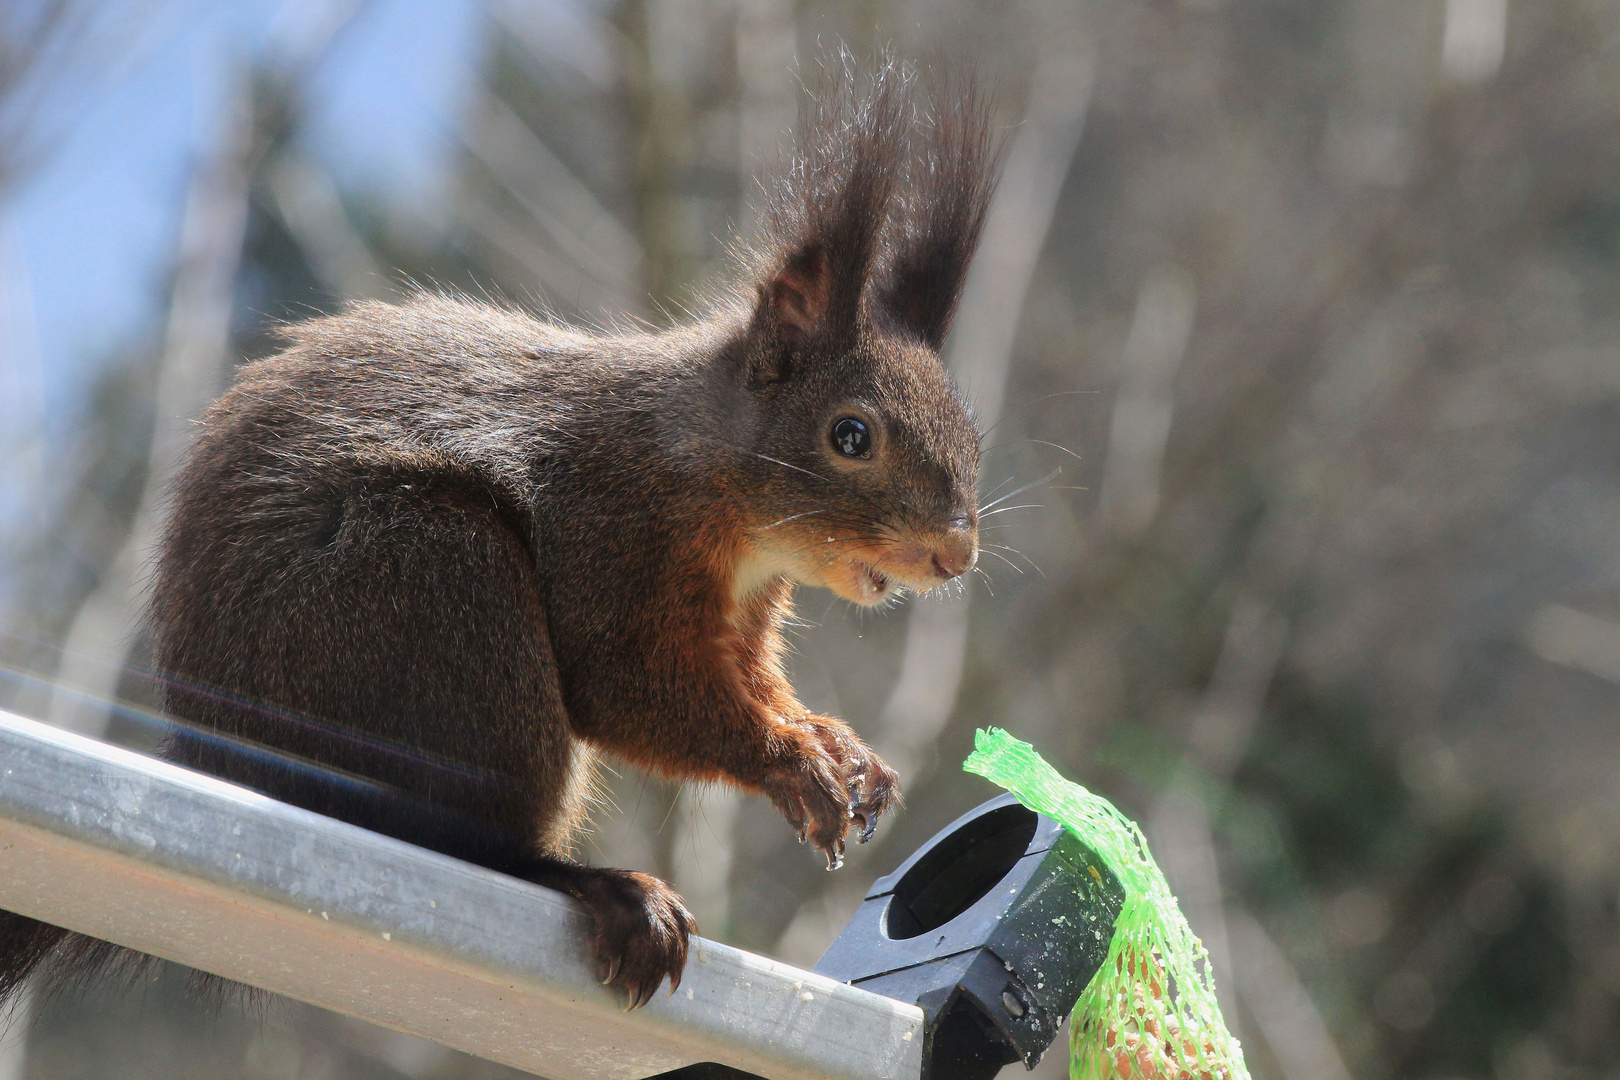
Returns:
(1149,1013)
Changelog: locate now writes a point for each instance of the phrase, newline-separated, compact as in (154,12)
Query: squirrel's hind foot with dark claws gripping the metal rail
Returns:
(642,930)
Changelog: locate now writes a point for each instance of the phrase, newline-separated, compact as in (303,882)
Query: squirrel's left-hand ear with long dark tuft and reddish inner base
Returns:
(829,213)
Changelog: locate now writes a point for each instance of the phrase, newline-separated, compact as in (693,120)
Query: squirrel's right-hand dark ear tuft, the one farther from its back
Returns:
(945,213)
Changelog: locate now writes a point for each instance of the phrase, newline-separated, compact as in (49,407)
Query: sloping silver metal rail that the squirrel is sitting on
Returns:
(190,869)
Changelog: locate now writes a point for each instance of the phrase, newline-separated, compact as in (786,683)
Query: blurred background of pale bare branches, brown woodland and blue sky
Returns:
(1295,331)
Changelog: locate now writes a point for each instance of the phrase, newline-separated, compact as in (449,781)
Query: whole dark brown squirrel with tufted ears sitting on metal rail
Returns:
(459,551)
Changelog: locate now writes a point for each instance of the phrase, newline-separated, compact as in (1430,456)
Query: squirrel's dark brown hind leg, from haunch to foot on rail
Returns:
(403,608)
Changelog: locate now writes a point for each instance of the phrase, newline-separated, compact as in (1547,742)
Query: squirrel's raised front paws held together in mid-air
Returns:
(835,781)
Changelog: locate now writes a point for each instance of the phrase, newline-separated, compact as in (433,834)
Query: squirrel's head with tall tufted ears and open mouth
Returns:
(861,464)
